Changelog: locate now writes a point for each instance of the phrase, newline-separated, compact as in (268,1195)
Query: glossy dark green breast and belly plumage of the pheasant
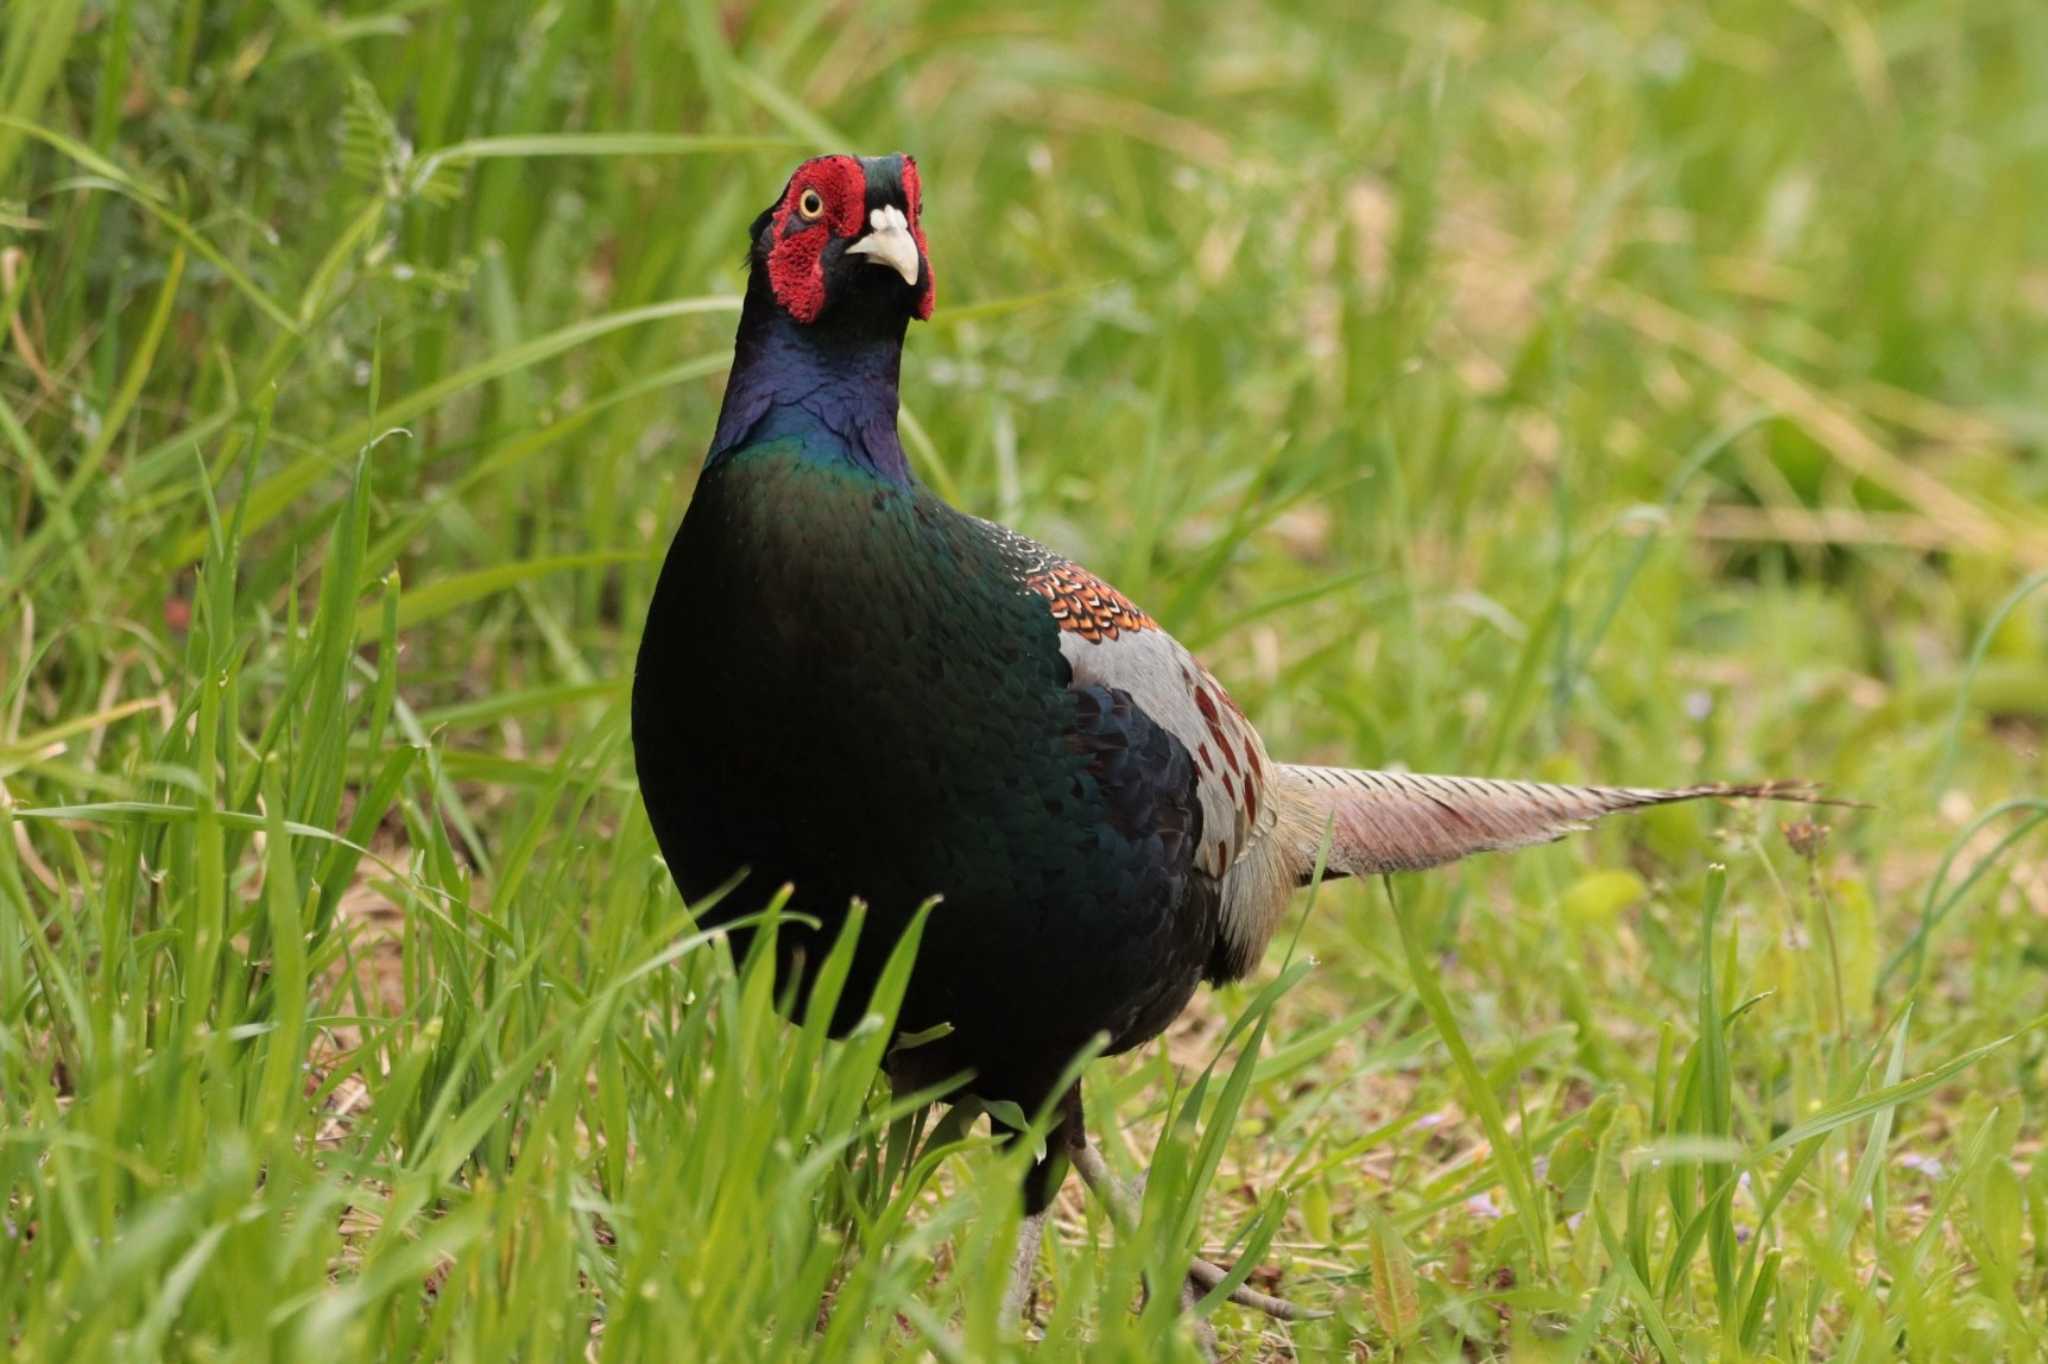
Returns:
(847,687)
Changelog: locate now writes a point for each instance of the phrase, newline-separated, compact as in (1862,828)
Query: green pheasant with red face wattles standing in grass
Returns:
(859,691)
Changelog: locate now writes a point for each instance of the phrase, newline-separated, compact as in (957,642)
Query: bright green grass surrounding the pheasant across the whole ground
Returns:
(1633,392)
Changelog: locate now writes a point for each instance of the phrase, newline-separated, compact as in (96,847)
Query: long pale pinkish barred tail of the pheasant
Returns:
(1385,822)
